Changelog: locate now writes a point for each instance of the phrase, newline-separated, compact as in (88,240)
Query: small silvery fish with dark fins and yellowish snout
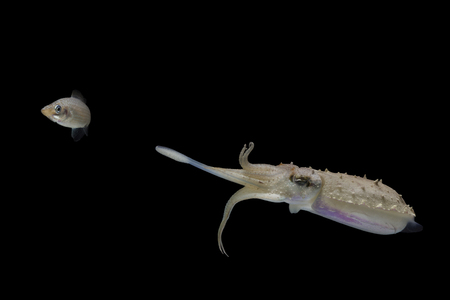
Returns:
(70,112)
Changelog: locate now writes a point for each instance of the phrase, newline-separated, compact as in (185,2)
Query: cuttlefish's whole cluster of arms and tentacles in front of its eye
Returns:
(256,179)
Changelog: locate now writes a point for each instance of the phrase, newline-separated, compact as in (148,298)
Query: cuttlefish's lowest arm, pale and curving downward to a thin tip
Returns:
(242,194)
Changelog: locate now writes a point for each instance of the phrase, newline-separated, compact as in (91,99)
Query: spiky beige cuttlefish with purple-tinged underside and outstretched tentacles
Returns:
(354,201)
